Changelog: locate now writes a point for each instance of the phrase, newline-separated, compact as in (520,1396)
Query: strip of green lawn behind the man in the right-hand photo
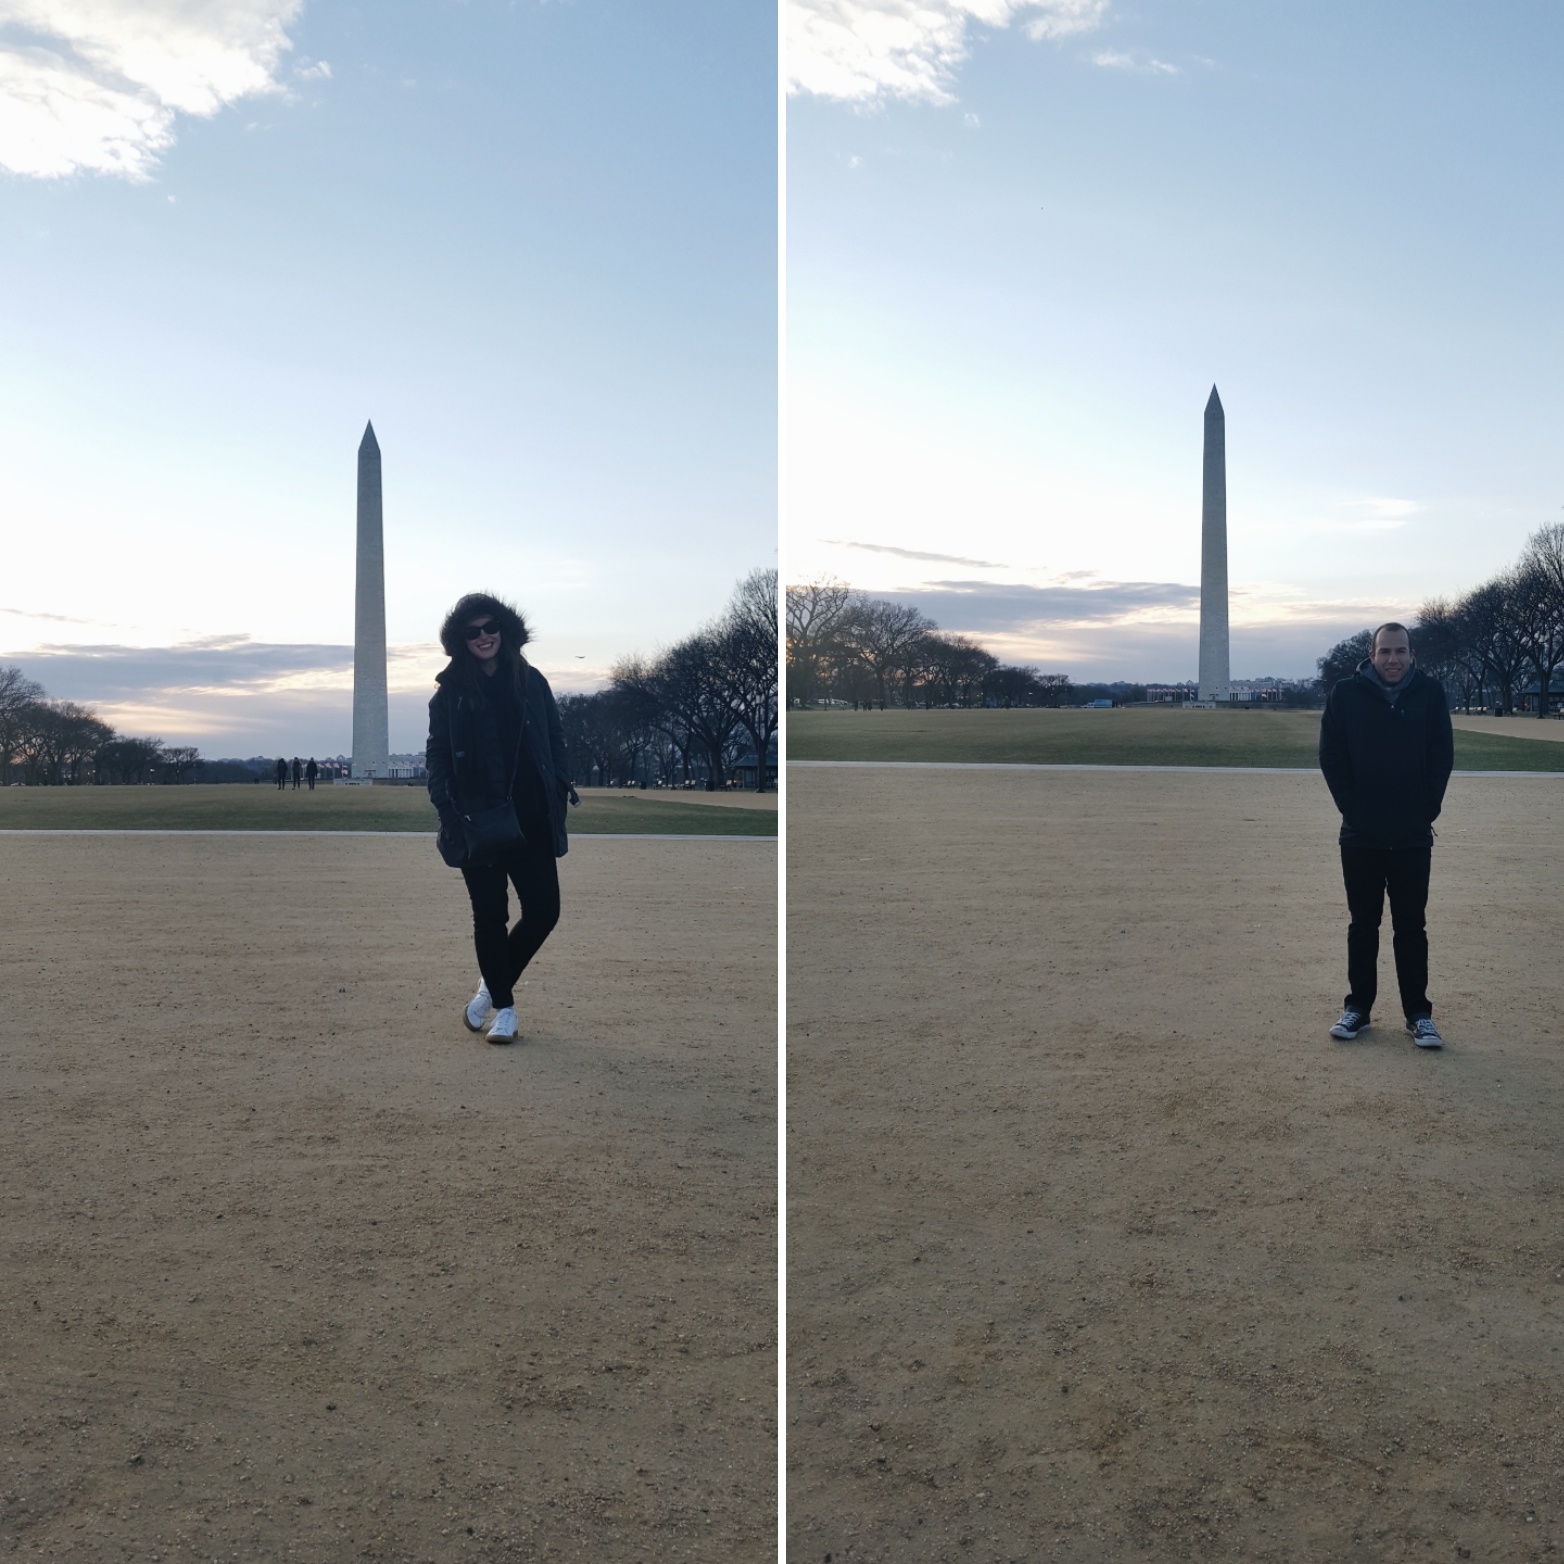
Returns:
(1135,737)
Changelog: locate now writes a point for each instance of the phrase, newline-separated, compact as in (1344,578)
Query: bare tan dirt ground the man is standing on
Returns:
(1100,1247)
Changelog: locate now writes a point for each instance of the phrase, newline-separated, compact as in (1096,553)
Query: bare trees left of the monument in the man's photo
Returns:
(844,645)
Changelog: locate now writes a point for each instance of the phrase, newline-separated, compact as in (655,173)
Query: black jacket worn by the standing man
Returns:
(1386,766)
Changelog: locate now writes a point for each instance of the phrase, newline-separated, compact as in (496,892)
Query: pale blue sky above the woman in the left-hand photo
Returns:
(534,242)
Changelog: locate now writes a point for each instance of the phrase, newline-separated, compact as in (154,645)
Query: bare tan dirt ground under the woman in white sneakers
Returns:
(295,1268)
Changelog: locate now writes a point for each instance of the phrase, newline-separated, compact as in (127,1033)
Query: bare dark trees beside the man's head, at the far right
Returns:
(1499,645)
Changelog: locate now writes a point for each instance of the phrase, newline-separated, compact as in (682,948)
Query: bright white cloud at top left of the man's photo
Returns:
(864,51)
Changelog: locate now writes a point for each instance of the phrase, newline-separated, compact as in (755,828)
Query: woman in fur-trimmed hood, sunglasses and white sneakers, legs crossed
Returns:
(497,762)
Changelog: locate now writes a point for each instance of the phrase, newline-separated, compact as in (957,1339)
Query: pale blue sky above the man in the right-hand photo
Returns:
(1006,312)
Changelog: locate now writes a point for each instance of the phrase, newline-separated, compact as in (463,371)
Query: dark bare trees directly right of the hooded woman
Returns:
(694,714)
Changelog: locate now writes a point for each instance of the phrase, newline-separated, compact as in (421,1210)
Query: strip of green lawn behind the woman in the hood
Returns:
(239,808)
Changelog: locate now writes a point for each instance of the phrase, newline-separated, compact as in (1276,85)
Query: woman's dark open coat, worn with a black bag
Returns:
(467,767)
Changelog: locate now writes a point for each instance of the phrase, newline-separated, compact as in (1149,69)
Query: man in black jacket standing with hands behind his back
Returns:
(1386,752)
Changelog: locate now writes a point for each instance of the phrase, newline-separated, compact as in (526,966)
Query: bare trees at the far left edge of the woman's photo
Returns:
(60,744)
